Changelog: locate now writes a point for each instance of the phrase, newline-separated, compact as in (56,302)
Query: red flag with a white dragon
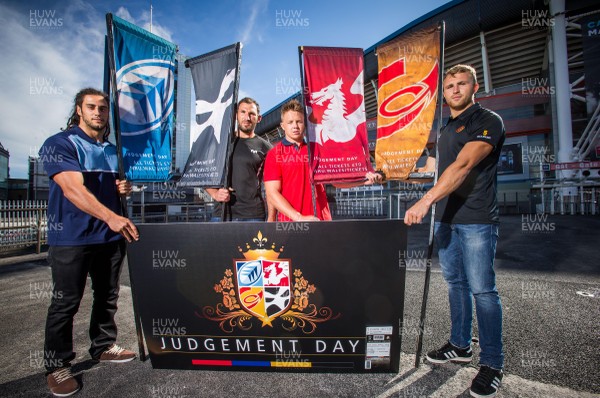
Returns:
(335,109)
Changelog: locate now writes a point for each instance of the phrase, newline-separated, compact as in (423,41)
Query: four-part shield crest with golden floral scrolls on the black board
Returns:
(267,289)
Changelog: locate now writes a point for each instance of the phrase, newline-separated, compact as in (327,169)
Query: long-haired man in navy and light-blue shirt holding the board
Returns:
(86,235)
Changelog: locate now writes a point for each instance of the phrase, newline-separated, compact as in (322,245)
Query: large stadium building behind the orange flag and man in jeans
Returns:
(532,58)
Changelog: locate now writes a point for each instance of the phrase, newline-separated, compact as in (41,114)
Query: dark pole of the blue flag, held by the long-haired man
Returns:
(117,125)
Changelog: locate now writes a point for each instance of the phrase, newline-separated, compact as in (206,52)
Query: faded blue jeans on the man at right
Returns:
(466,253)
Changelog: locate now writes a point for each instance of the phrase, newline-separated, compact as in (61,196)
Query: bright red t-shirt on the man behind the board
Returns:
(288,164)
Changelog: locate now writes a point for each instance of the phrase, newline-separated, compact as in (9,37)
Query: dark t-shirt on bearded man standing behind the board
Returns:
(247,161)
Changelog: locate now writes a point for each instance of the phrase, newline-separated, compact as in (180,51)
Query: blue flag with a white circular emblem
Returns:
(145,71)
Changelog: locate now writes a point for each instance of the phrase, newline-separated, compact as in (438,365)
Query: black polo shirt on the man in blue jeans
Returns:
(475,201)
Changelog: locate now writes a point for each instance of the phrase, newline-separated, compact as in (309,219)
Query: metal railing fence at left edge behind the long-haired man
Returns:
(23,224)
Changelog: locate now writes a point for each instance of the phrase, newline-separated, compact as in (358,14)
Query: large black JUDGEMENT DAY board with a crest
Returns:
(319,296)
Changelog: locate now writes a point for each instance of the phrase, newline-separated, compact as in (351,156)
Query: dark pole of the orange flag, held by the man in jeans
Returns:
(442,28)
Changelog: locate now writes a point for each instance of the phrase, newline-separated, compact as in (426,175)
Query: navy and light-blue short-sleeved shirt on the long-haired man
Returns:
(73,150)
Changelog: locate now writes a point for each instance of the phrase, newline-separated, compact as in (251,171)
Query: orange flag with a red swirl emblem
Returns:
(406,100)
